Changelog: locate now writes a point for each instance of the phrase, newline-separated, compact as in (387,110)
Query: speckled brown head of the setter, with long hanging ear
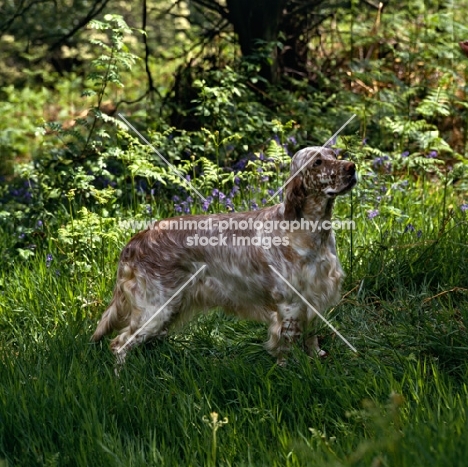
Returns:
(317,173)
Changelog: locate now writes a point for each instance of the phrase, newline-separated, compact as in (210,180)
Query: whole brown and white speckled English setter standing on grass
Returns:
(248,263)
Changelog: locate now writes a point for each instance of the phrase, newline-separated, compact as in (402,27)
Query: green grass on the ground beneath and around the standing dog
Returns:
(402,400)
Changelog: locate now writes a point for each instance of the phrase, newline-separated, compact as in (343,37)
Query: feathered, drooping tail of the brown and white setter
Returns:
(117,315)
